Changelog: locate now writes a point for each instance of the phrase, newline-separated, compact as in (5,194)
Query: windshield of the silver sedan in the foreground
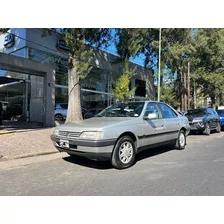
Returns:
(131,109)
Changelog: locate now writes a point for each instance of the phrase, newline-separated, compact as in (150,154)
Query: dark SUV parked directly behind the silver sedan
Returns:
(203,120)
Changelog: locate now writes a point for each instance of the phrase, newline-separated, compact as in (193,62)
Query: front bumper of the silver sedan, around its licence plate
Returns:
(97,150)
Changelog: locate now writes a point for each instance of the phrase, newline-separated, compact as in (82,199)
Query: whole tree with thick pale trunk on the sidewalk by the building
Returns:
(80,43)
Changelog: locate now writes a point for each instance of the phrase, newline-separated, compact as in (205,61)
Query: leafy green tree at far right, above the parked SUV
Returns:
(208,63)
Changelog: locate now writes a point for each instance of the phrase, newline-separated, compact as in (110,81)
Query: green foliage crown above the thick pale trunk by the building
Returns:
(79,42)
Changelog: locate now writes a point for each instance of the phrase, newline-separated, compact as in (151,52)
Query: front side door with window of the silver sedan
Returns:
(153,129)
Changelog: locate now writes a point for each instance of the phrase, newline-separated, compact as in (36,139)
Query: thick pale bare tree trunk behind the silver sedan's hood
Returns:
(74,102)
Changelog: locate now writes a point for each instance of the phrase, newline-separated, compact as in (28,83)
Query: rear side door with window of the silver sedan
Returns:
(172,122)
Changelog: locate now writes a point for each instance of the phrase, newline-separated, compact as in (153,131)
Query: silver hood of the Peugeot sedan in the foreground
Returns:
(96,123)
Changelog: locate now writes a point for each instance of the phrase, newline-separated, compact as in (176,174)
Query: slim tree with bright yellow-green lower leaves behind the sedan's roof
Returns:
(128,43)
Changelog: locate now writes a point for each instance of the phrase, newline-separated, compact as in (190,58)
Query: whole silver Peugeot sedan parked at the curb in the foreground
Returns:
(120,131)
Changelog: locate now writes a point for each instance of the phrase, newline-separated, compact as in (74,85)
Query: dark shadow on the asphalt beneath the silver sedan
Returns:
(104,165)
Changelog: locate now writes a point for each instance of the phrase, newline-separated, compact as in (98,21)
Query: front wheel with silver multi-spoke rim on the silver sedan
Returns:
(126,159)
